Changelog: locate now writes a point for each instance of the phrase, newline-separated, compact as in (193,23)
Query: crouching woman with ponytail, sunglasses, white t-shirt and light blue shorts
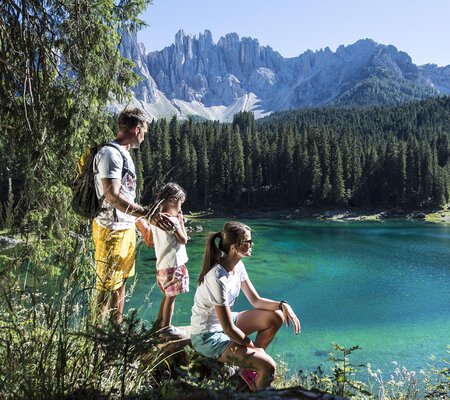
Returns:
(219,333)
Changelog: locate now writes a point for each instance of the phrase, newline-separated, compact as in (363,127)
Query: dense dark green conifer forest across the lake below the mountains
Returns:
(373,157)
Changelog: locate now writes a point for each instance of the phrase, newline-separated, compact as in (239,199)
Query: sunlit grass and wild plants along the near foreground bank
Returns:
(51,348)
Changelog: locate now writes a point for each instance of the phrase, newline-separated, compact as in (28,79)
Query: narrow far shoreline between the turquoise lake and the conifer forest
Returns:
(338,214)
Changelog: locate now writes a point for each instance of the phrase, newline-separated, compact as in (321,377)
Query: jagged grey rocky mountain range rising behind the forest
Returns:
(200,78)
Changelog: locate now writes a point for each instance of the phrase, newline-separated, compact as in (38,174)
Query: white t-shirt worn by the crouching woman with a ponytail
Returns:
(219,288)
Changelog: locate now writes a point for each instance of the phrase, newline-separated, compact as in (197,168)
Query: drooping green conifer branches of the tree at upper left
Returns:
(60,65)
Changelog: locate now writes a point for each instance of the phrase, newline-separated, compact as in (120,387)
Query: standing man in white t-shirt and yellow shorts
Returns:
(114,228)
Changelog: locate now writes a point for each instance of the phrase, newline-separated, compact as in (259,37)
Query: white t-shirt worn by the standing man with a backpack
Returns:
(108,163)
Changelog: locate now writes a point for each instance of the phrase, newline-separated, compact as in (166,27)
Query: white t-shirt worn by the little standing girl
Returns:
(169,252)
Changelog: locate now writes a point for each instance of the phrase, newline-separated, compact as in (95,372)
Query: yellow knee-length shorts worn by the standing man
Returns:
(114,256)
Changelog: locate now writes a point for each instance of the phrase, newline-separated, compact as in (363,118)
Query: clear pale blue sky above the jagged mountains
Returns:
(419,27)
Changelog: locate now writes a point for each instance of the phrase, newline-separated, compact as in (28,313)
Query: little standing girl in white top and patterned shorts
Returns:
(171,272)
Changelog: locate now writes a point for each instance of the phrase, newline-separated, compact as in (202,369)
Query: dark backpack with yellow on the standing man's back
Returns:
(84,197)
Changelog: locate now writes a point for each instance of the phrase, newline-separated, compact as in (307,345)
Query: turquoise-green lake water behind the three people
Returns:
(384,286)
